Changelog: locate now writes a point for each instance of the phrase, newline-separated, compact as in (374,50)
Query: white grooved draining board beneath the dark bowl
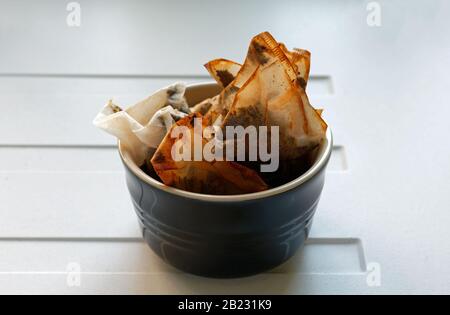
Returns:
(382,223)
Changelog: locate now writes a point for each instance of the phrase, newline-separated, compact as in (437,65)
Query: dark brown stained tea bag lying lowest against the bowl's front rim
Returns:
(214,177)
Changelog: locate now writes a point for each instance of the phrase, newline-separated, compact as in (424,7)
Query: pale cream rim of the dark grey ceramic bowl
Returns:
(319,164)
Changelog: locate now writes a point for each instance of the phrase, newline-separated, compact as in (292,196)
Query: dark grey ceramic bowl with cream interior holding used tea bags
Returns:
(226,236)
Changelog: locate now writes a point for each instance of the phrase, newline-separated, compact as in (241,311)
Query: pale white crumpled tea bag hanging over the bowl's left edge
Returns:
(142,126)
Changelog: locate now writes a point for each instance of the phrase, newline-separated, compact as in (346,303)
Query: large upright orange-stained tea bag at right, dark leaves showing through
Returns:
(271,97)
